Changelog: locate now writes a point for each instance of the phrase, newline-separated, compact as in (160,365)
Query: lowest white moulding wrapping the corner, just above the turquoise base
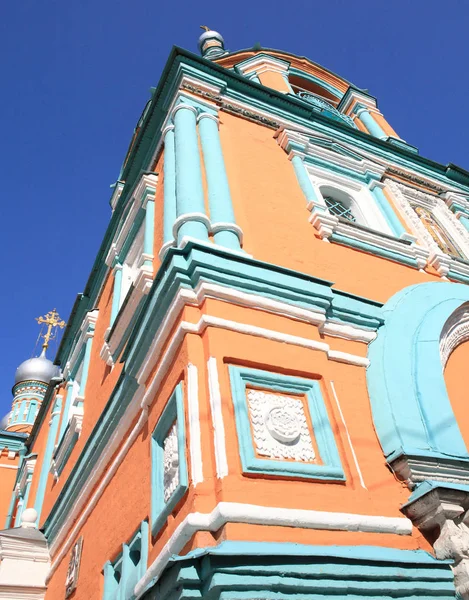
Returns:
(236,512)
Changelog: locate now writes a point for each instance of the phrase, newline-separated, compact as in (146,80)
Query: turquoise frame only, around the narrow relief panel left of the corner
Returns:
(173,413)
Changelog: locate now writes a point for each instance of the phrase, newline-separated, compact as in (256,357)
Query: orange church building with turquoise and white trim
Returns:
(262,385)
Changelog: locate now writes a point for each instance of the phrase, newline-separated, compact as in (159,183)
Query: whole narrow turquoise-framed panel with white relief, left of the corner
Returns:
(169,467)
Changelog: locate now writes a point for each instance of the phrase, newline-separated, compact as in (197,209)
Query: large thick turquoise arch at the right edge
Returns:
(411,409)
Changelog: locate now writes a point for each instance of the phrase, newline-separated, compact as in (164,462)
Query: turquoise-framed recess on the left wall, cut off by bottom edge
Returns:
(122,575)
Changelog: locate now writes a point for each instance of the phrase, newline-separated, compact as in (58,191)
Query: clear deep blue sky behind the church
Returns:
(76,76)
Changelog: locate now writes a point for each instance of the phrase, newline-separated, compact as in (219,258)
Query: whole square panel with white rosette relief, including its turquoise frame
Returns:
(283,426)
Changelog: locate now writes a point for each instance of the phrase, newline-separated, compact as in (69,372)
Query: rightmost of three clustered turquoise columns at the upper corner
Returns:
(219,197)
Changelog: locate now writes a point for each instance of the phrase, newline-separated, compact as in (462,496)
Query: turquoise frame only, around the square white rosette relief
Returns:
(330,467)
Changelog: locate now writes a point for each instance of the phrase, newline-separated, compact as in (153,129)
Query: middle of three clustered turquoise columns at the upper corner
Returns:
(189,191)
